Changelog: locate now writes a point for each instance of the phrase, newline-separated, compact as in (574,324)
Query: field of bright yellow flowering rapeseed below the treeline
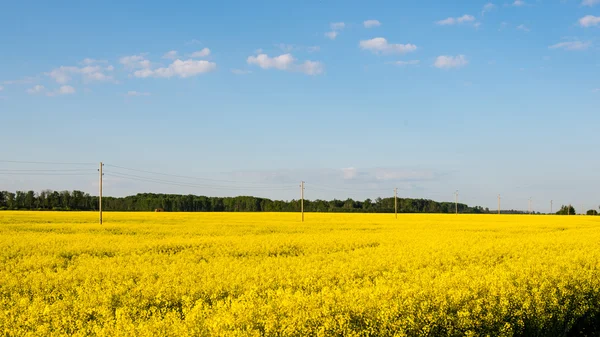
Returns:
(268,274)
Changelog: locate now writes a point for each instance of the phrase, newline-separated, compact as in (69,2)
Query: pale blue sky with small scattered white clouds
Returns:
(353,97)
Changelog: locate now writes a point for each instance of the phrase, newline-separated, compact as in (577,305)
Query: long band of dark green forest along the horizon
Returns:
(80,201)
